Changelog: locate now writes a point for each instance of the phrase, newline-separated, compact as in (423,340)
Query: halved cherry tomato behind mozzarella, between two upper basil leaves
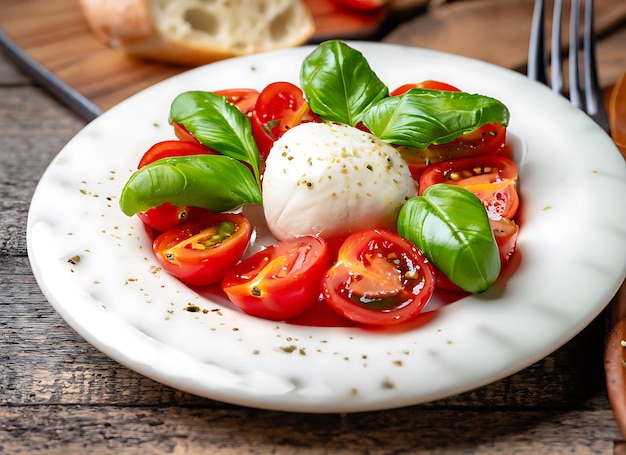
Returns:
(279,107)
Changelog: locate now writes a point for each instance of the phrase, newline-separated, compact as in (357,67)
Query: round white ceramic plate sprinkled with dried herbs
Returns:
(571,258)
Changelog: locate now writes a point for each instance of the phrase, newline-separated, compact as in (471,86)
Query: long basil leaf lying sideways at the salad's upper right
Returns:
(423,117)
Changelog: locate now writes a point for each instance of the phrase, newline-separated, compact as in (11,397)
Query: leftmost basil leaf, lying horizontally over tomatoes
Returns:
(214,182)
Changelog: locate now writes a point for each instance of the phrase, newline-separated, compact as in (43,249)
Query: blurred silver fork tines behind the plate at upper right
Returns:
(585,95)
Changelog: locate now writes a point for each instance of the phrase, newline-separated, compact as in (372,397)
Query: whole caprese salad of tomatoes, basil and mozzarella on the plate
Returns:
(375,196)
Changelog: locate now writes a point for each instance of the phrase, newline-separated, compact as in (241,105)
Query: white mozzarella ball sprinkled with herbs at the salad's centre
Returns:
(330,180)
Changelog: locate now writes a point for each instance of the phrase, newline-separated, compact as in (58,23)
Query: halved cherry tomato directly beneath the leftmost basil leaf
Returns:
(200,251)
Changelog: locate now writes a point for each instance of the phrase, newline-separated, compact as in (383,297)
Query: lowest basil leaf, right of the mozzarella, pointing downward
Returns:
(451,227)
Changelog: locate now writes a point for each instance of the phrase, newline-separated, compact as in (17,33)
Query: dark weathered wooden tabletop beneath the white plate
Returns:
(58,394)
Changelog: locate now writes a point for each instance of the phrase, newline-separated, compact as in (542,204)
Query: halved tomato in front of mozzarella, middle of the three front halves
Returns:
(281,281)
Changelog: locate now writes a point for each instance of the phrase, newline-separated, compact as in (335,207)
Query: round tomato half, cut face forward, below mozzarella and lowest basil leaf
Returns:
(379,278)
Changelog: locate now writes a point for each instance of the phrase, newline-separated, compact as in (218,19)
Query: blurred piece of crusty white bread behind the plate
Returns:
(195,32)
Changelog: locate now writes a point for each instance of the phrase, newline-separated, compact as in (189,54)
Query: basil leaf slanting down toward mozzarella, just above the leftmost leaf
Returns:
(217,124)
